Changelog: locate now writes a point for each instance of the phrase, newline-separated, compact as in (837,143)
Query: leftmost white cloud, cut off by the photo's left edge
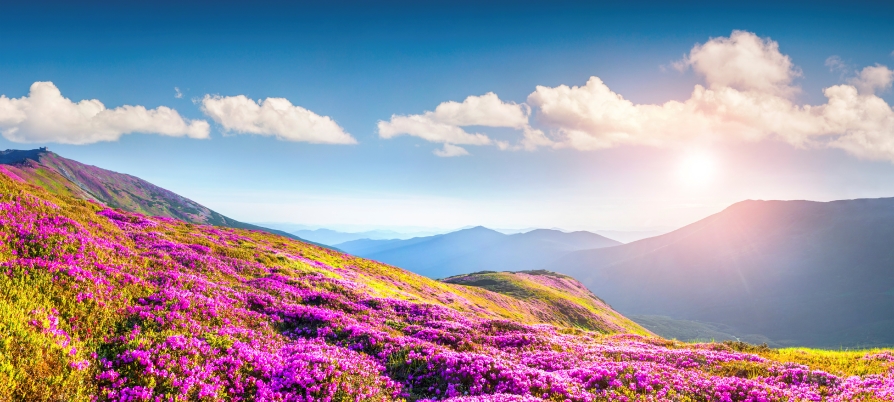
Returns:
(44,115)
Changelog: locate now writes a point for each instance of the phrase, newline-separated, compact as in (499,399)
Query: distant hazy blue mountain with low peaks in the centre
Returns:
(476,249)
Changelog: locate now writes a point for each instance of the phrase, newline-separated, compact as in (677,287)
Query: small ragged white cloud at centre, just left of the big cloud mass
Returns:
(444,124)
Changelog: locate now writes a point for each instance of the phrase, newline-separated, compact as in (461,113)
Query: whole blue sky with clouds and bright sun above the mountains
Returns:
(446,114)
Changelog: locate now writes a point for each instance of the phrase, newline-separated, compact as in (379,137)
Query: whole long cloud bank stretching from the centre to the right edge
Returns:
(748,95)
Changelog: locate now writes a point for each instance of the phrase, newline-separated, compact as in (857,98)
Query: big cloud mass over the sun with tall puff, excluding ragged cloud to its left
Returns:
(747,97)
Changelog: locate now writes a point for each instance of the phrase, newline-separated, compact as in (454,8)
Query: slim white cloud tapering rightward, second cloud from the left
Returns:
(273,117)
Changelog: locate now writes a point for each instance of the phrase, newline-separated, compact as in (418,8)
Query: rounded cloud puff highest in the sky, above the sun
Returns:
(743,61)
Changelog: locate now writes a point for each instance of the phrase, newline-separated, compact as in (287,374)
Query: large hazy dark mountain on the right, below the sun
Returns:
(796,272)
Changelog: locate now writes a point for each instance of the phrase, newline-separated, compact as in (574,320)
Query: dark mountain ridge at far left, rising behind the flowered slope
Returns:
(67,177)
